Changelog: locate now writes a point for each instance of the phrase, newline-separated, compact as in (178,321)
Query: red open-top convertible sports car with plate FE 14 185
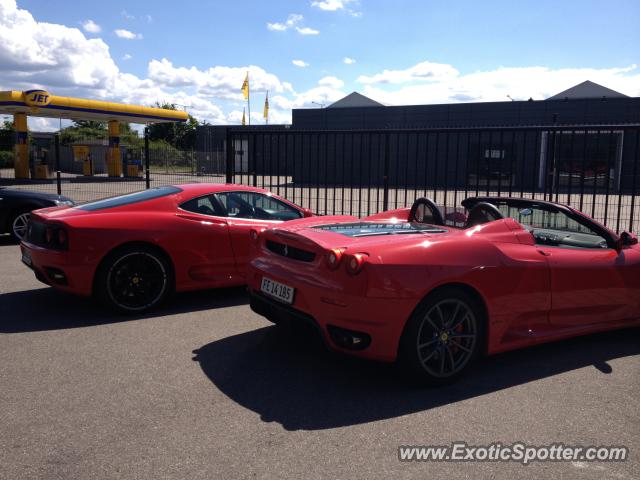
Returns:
(404,285)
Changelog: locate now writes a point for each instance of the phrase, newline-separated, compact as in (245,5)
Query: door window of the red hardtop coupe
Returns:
(256,205)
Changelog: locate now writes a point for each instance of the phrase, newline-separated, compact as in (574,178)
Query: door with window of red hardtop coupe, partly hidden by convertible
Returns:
(246,211)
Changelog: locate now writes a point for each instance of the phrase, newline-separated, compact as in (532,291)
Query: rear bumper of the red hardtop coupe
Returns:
(64,270)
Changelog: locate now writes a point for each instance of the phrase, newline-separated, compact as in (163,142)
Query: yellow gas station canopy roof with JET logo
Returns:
(39,103)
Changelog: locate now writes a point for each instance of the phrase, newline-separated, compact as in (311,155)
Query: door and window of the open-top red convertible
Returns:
(590,281)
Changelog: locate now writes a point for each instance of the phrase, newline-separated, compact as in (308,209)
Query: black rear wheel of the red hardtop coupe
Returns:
(134,279)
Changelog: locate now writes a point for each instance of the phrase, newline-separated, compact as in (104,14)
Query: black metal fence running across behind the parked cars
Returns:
(594,168)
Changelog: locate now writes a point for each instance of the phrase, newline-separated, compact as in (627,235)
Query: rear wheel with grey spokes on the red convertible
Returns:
(442,338)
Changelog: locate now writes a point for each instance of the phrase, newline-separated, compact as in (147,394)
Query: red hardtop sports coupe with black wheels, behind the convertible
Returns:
(133,250)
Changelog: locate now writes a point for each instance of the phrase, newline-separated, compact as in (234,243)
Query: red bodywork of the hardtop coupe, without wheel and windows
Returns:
(206,251)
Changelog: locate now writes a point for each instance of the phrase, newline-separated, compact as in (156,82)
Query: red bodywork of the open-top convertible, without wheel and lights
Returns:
(532,294)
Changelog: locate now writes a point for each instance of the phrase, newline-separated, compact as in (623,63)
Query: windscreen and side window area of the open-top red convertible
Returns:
(554,228)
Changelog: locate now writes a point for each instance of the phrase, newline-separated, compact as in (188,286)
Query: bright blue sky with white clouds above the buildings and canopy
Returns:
(310,53)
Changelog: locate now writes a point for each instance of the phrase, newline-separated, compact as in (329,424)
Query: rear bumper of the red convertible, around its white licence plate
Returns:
(376,323)
